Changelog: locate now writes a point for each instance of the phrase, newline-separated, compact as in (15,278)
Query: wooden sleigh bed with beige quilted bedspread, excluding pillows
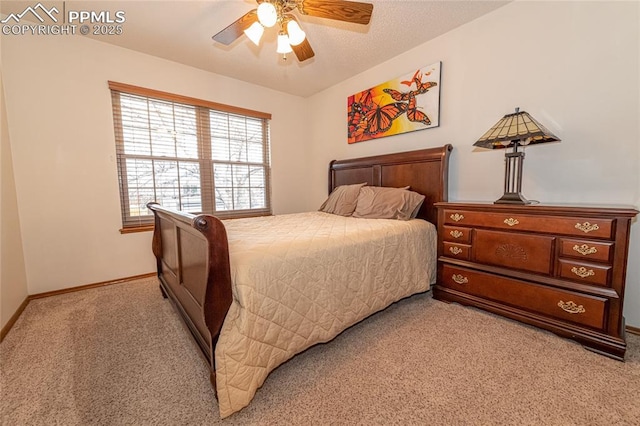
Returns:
(255,292)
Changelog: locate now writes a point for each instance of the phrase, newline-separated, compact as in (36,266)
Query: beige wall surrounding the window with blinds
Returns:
(62,137)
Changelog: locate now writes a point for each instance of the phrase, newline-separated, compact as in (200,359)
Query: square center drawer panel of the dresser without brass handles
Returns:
(527,252)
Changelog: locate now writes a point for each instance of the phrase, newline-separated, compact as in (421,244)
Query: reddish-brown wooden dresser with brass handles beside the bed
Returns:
(561,268)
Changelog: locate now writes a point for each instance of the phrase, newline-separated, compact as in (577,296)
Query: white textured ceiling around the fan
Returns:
(181,31)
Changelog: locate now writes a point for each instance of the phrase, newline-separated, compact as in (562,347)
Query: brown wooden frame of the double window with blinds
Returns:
(205,161)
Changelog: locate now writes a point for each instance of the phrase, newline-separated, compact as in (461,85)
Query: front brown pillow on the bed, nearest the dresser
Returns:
(376,202)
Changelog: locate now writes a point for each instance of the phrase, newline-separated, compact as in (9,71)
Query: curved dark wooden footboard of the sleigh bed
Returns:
(192,255)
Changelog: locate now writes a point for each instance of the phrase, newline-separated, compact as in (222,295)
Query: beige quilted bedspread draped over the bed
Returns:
(301,279)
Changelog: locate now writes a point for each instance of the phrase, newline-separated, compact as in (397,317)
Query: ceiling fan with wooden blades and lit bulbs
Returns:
(291,38)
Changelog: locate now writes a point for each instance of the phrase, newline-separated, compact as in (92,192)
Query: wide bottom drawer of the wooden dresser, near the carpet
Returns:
(577,308)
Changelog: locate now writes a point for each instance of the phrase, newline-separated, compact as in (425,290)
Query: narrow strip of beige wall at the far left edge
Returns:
(13,279)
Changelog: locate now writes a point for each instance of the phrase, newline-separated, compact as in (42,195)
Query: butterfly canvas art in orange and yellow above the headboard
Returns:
(405,104)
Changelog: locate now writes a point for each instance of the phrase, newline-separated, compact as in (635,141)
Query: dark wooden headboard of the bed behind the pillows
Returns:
(426,171)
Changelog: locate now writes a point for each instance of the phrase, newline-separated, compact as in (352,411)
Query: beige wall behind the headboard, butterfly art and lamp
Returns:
(572,65)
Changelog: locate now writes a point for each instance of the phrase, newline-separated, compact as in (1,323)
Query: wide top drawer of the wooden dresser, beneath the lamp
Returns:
(576,226)
